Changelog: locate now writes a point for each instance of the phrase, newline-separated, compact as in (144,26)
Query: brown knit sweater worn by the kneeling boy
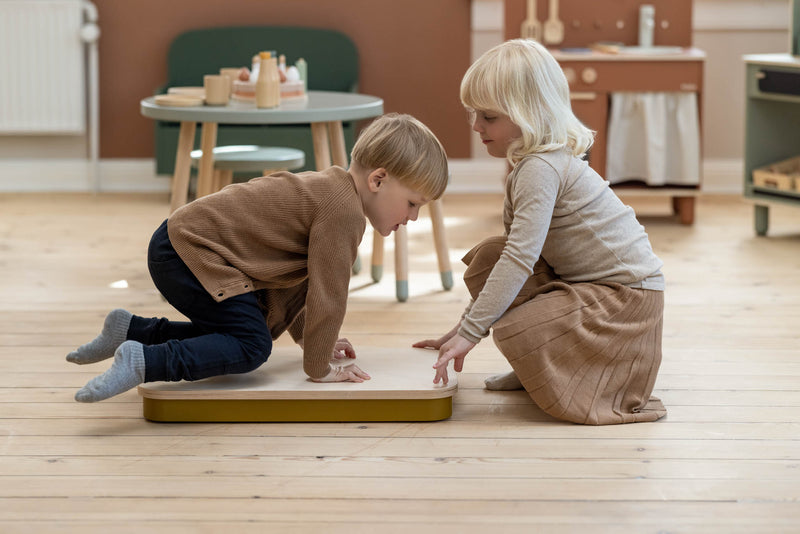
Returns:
(277,232)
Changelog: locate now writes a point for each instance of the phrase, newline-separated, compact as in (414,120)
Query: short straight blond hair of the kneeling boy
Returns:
(408,151)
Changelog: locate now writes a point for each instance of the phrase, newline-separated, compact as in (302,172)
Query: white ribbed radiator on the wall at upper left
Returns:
(42,67)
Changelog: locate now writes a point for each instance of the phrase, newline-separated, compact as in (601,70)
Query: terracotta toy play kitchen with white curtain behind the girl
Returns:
(636,80)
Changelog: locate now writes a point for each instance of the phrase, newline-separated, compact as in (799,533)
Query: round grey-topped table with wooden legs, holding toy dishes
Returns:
(323,110)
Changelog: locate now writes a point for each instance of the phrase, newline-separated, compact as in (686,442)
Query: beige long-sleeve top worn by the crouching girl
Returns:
(558,208)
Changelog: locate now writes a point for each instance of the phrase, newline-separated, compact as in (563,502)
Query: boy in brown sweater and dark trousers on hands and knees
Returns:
(259,258)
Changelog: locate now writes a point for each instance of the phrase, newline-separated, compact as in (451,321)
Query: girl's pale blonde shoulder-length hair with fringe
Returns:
(522,80)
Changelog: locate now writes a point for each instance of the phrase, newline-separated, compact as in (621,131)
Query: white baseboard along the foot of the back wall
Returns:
(138,175)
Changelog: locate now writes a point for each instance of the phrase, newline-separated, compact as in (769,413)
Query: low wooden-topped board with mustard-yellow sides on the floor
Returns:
(401,389)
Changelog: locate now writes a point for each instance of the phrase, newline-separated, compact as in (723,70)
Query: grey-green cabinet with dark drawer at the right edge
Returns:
(772,120)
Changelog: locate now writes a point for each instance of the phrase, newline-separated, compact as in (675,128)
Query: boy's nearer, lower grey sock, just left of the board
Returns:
(125,373)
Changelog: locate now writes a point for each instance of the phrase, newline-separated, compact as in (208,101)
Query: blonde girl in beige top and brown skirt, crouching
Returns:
(573,291)
